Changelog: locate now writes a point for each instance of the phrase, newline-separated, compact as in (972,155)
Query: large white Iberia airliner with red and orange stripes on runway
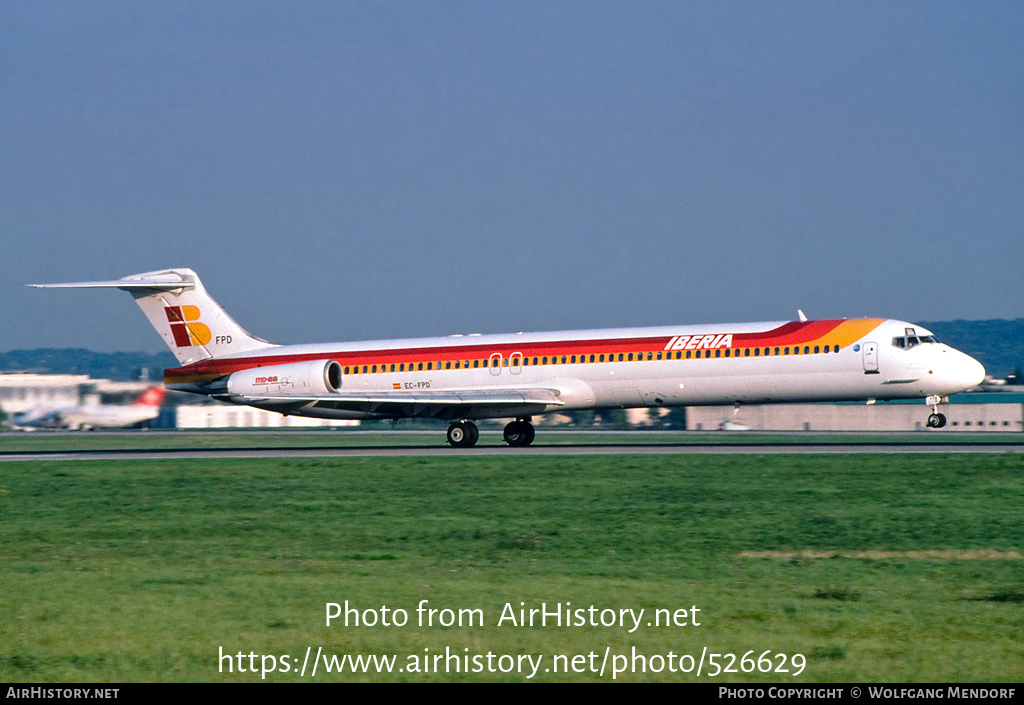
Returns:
(462,380)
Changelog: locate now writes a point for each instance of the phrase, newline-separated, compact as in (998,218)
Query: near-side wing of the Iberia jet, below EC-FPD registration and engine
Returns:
(448,405)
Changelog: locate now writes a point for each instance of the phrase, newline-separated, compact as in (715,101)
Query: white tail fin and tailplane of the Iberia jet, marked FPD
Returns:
(193,325)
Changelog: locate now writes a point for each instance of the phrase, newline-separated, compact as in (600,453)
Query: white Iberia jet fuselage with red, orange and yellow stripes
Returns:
(843,360)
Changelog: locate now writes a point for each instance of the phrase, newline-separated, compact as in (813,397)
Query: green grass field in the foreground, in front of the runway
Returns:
(142,571)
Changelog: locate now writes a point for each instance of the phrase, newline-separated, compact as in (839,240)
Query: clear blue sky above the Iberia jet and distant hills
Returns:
(358,171)
